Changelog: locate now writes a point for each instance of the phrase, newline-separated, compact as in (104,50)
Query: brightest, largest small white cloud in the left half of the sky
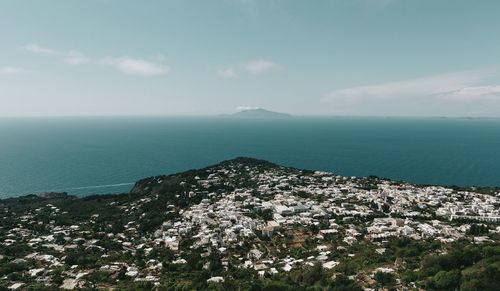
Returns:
(136,66)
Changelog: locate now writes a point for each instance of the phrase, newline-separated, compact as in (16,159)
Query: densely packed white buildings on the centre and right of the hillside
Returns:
(280,200)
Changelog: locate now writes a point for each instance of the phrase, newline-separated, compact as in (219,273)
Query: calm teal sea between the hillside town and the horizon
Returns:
(107,155)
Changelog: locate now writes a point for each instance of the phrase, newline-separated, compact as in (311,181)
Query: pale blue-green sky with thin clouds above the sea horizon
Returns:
(182,57)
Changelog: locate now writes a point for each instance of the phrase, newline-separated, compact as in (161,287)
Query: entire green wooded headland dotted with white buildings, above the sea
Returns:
(247,224)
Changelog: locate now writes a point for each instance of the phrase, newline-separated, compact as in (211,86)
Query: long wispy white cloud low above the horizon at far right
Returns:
(449,94)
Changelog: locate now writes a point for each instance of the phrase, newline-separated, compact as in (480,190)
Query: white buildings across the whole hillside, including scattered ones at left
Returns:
(254,216)
